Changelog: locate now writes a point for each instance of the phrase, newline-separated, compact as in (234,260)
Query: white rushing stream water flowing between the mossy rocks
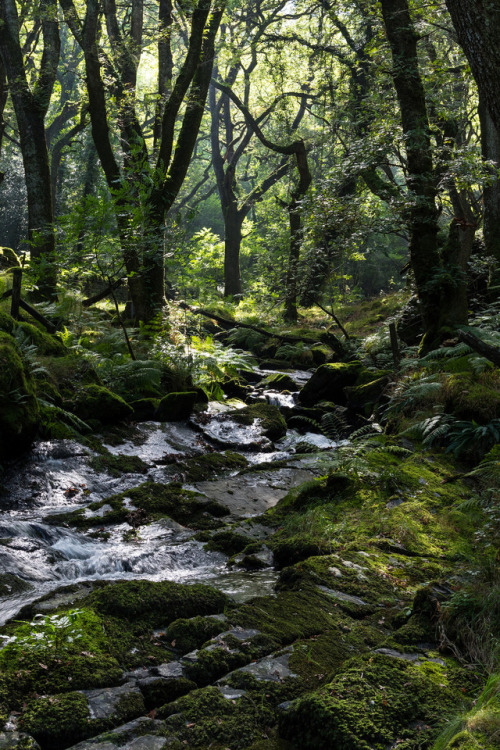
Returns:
(57,476)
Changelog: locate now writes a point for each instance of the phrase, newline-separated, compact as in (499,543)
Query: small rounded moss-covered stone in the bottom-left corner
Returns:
(57,721)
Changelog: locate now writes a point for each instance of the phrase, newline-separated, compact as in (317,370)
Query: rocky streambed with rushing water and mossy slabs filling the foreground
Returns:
(222,583)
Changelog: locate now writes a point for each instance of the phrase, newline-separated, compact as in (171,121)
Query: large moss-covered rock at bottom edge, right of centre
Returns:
(372,703)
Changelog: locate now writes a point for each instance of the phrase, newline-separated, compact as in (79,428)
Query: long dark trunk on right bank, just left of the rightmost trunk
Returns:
(422,216)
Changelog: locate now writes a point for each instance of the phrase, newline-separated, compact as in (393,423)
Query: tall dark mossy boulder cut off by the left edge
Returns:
(19,411)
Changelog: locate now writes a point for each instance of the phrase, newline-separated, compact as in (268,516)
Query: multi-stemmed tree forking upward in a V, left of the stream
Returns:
(144,183)
